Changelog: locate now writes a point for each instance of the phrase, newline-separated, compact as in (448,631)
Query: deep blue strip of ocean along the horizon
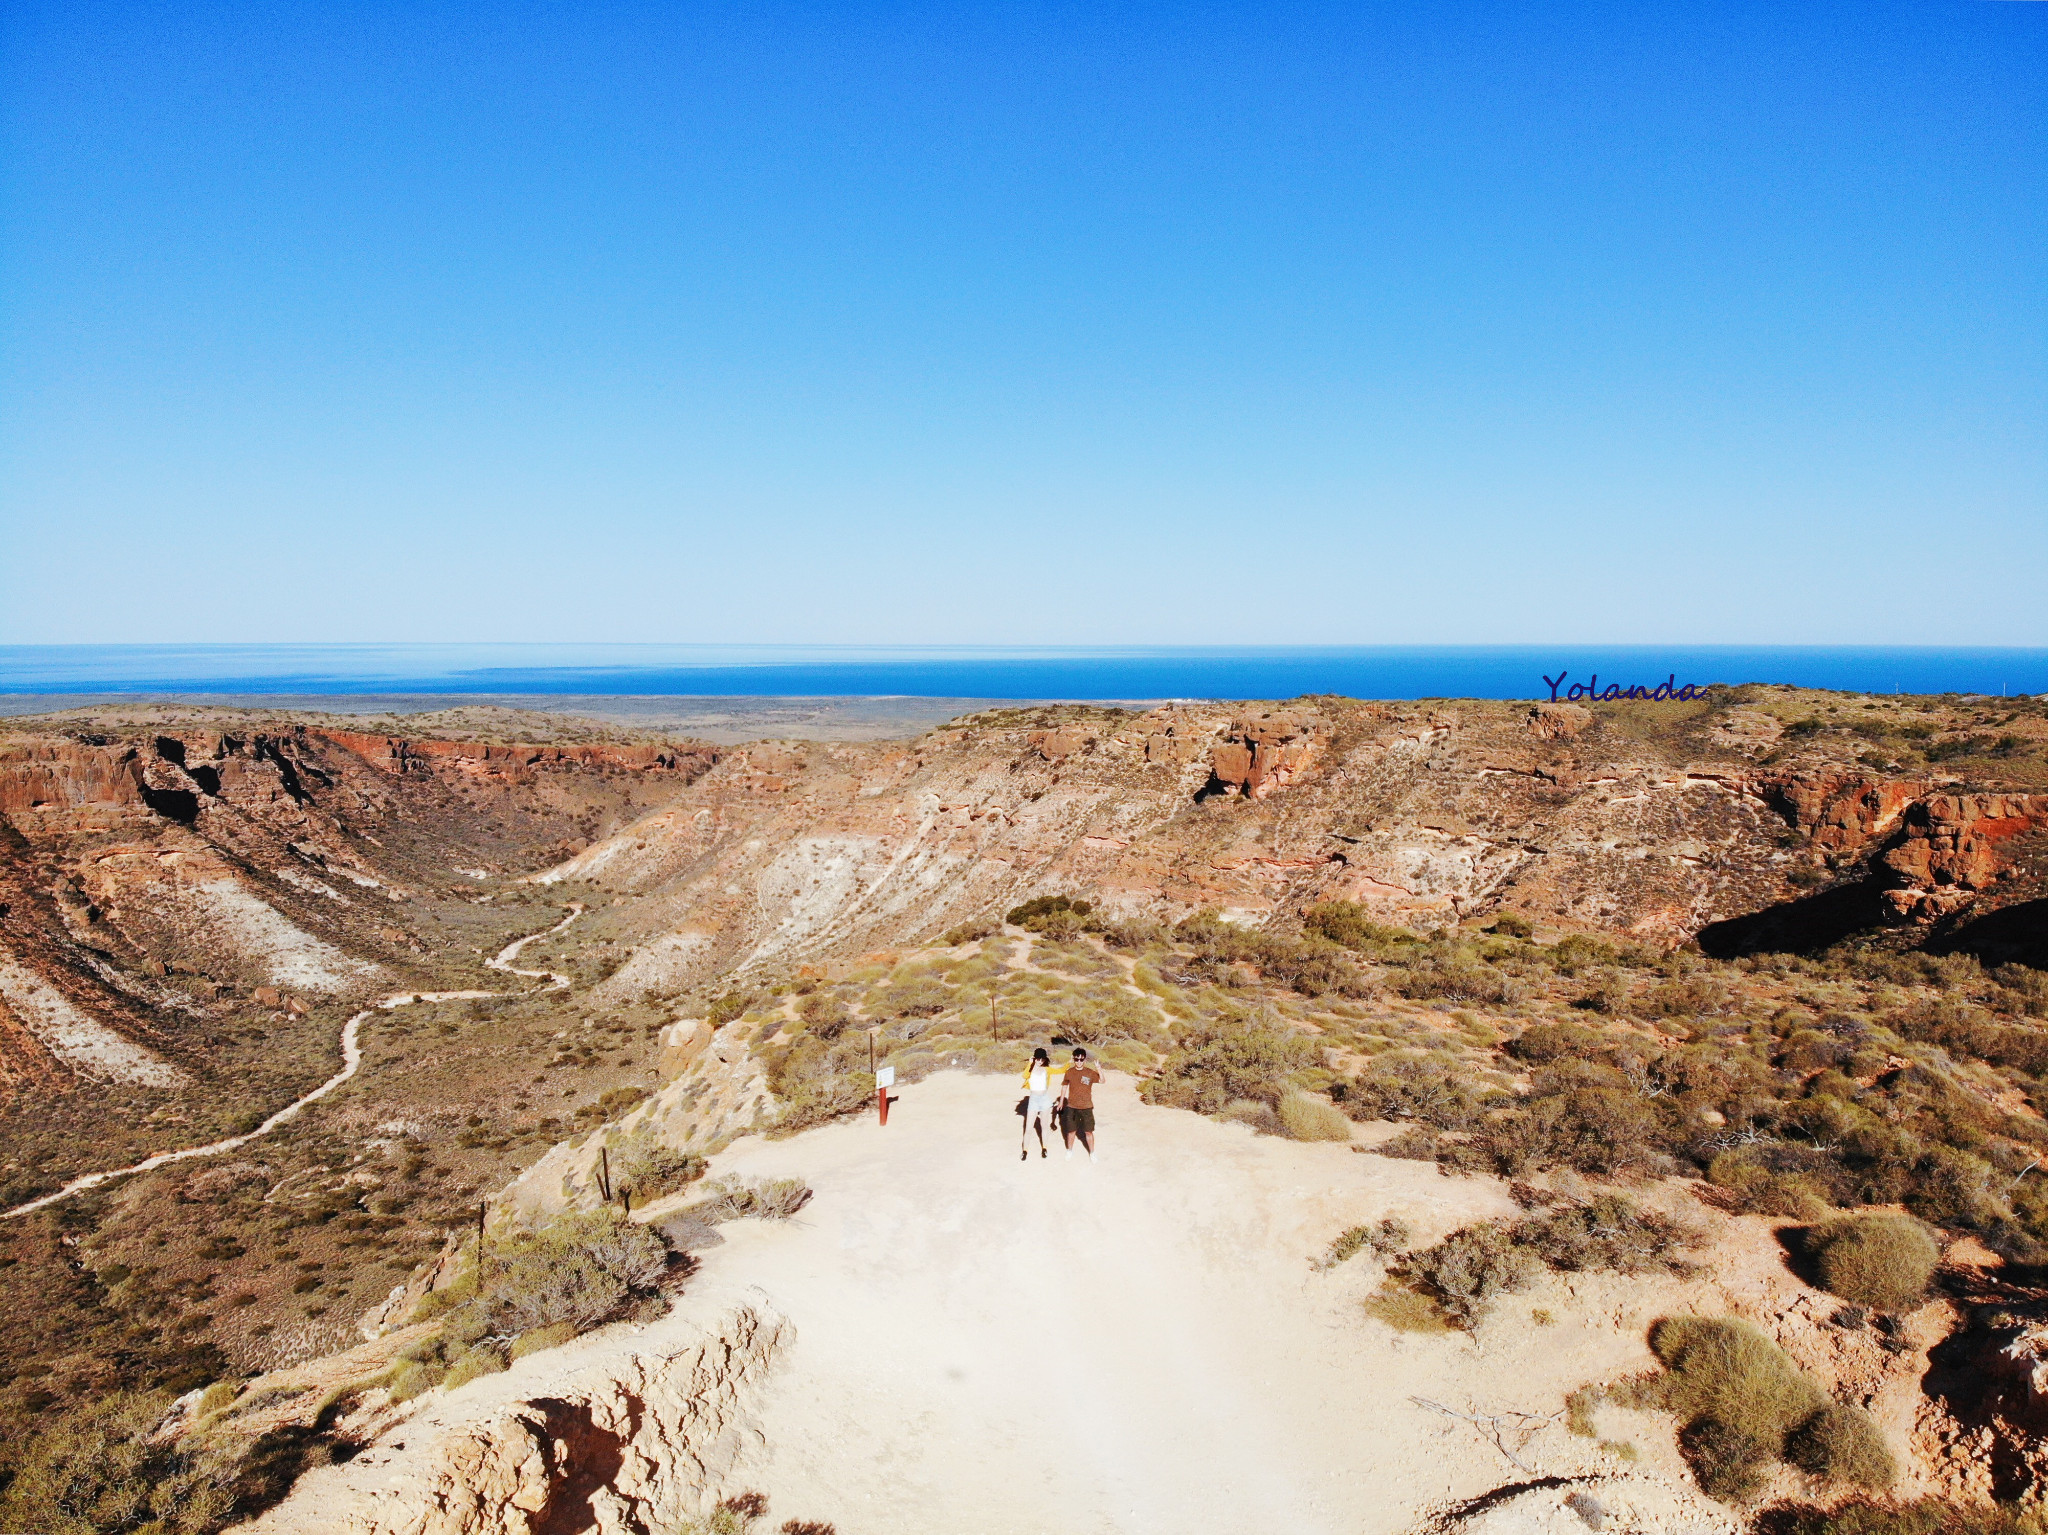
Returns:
(1021,672)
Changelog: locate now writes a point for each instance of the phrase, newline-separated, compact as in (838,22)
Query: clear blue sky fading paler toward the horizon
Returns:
(1025,324)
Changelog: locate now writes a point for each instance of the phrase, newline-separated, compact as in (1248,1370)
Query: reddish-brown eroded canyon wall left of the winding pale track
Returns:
(173,871)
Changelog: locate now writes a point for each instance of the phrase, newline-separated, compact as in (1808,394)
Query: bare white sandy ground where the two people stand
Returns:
(1138,1346)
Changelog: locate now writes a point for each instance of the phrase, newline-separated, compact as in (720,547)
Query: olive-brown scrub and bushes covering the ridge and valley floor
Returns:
(1883,1102)
